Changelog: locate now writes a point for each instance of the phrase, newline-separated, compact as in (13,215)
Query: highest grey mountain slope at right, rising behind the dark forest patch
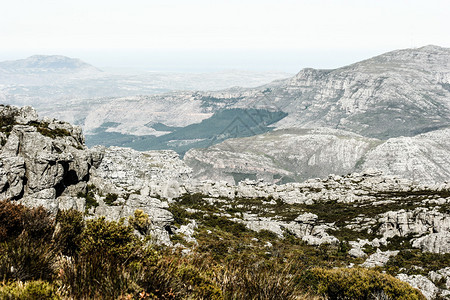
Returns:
(400,93)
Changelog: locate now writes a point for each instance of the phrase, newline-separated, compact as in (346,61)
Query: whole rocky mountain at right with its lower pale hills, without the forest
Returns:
(396,103)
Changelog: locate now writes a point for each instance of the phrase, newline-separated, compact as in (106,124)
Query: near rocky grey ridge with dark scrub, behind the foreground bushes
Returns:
(373,220)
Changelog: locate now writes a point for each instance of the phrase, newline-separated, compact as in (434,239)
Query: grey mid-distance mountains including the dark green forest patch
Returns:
(391,112)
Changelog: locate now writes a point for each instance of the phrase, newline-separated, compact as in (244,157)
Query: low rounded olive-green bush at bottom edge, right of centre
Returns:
(357,283)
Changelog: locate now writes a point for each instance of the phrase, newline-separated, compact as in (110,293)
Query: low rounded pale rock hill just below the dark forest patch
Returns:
(291,154)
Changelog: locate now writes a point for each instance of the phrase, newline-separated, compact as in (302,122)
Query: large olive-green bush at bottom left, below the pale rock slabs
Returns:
(109,263)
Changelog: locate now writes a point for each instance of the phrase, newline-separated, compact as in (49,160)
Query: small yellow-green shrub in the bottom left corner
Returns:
(31,290)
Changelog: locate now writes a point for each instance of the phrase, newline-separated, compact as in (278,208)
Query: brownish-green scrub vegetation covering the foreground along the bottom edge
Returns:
(68,257)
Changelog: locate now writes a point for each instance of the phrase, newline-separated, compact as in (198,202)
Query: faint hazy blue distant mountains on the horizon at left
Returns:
(44,81)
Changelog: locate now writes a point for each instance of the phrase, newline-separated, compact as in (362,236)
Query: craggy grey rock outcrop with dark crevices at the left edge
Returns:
(41,160)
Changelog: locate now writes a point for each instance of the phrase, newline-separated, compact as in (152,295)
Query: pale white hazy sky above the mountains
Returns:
(201,35)
